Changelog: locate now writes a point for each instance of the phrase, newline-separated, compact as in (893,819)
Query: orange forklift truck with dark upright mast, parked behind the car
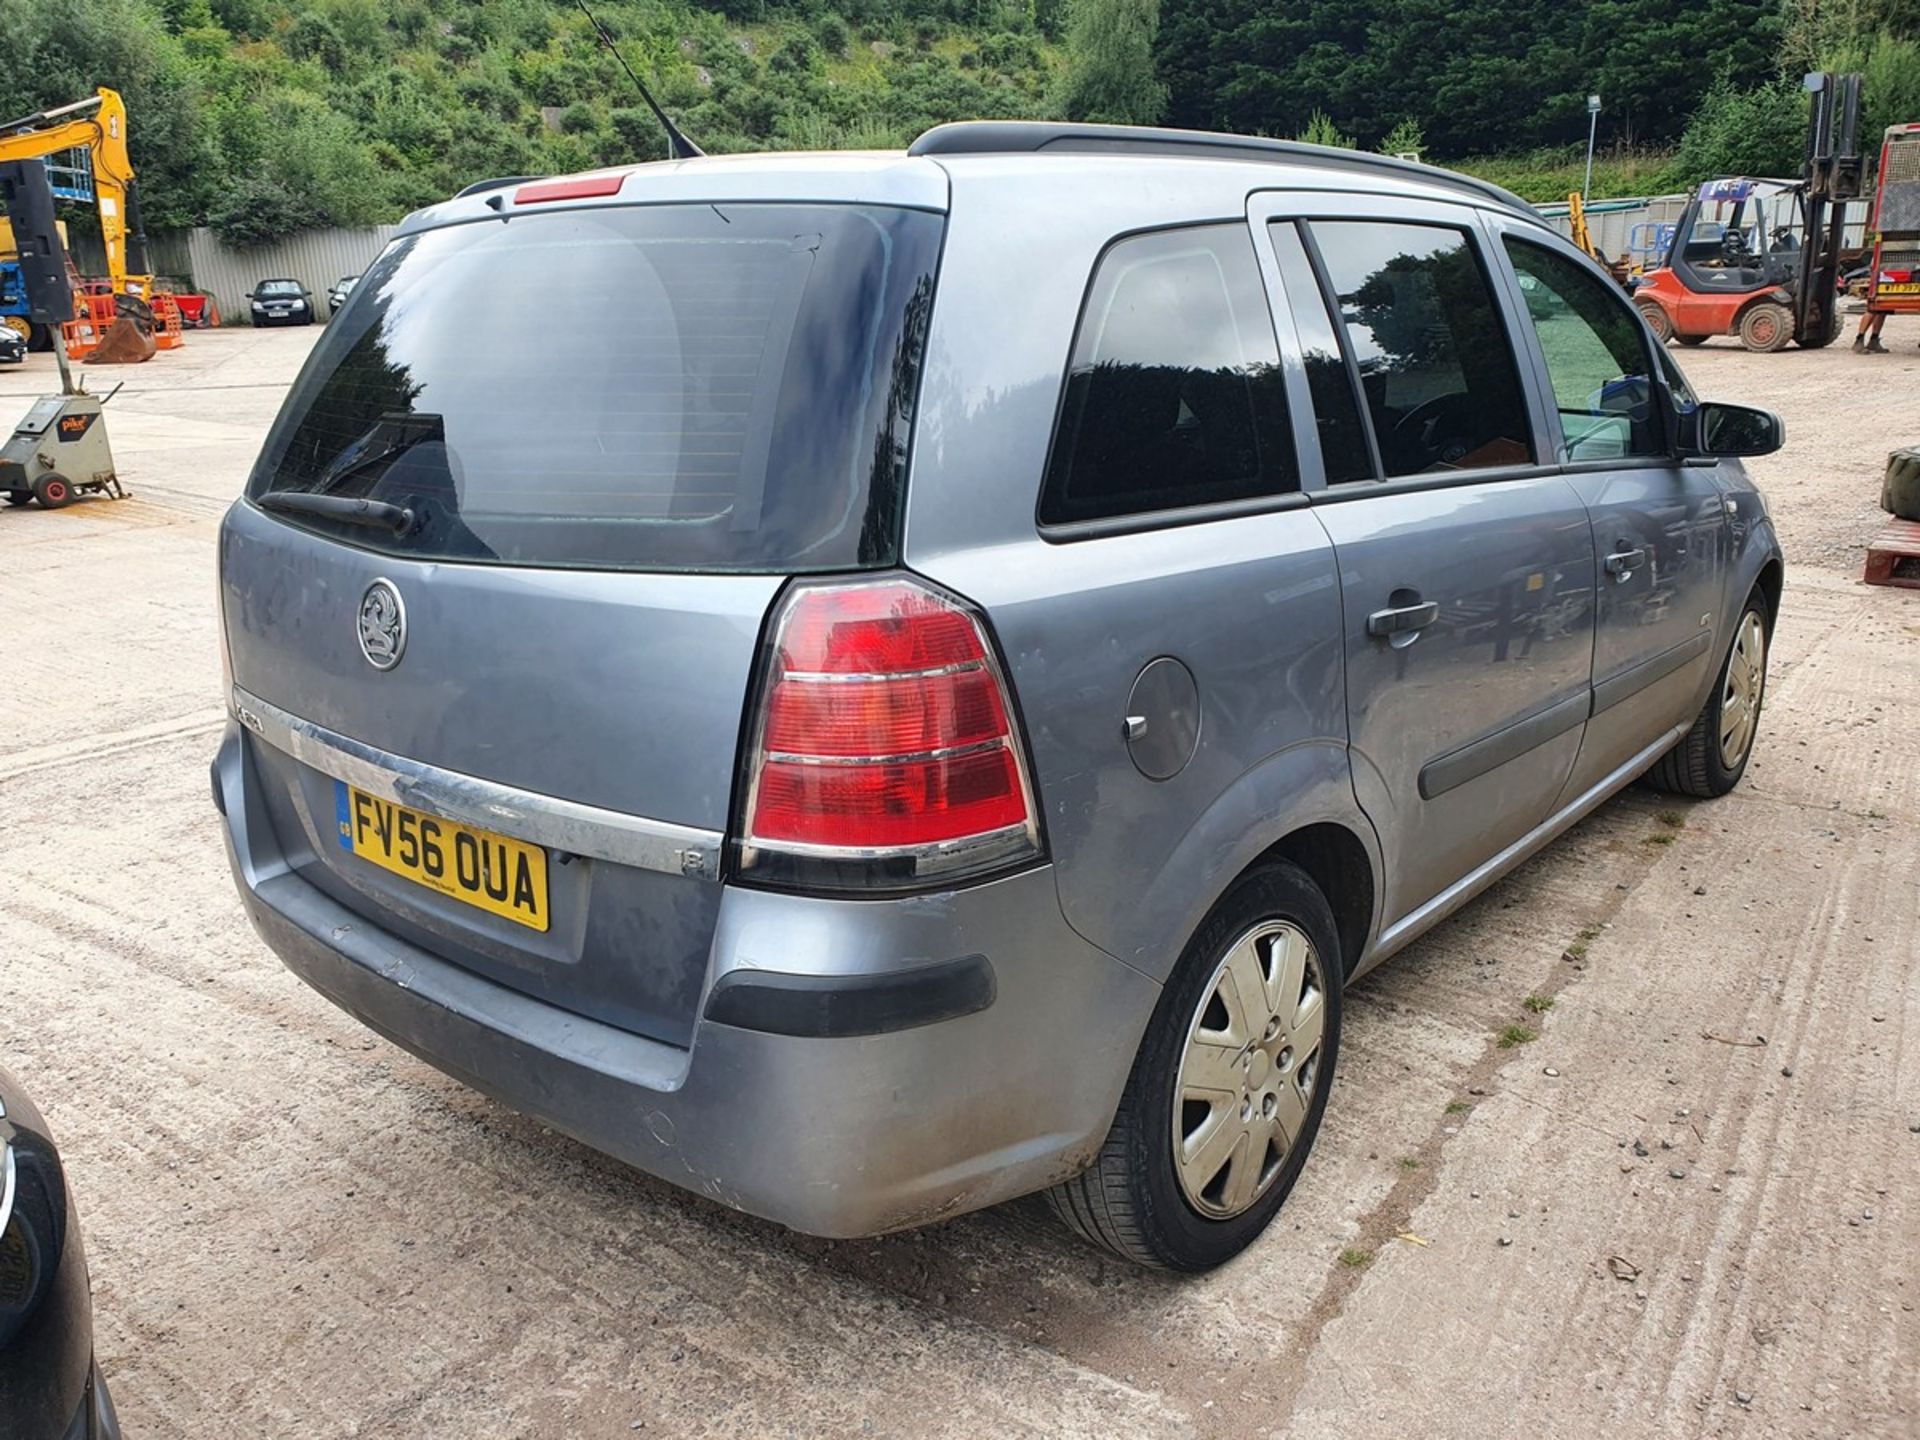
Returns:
(1762,258)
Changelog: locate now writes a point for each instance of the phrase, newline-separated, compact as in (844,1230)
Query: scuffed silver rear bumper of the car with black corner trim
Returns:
(980,1057)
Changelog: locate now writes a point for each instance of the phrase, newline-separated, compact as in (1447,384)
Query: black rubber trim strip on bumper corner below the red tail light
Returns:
(832,1007)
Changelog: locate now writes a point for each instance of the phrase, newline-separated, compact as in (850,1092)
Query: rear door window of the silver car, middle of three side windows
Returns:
(1433,356)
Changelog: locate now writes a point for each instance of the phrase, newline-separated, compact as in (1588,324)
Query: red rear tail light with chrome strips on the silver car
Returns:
(884,752)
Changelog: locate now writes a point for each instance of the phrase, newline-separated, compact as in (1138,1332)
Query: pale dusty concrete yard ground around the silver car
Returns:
(1687,1209)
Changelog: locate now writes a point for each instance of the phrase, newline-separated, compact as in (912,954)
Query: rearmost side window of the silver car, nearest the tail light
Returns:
(1174,393)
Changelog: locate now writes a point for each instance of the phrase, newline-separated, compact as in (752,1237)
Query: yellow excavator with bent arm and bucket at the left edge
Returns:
(95,128)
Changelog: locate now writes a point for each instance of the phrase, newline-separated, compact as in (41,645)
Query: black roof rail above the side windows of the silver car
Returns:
(1022,137)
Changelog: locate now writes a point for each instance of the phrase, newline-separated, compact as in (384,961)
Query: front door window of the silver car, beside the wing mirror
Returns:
(1596,356)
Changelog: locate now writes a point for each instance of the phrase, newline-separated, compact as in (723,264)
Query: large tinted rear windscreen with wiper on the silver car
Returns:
(633,387)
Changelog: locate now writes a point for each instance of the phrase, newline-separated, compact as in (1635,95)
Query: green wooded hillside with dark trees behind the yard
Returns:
(268,116)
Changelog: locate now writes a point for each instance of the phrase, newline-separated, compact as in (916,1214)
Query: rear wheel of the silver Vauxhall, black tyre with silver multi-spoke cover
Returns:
(1140,1199)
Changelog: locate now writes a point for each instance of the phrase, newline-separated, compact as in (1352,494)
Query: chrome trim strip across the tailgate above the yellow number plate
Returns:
(569,827)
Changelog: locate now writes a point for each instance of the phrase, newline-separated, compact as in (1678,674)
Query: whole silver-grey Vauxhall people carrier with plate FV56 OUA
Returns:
(924,677)
